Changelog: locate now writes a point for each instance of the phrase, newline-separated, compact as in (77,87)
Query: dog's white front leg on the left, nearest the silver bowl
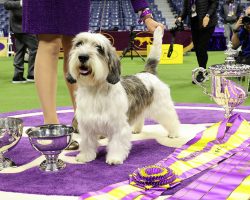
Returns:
(88,146)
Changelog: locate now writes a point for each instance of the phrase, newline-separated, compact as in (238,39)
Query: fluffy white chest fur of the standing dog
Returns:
(100,108)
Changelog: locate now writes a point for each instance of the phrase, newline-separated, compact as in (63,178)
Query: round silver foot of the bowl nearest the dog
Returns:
(55,166)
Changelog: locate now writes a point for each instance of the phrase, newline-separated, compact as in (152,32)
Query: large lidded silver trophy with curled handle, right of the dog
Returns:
(229,82)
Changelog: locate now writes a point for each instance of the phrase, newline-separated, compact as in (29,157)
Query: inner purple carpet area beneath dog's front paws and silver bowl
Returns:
(77,179)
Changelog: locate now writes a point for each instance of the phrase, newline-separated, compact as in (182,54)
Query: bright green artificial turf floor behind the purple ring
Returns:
(15,97)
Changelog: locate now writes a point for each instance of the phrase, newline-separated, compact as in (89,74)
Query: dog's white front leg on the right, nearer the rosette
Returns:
(119,145)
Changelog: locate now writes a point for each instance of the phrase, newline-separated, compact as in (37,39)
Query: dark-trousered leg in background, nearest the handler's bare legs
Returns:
(31,43)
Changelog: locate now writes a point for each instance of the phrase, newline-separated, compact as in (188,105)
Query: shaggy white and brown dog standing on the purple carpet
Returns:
(110,105)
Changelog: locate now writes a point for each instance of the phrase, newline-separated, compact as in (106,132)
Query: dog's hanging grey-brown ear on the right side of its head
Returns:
(114,67)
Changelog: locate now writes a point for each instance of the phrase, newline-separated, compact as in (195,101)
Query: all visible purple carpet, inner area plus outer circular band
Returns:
(82,178)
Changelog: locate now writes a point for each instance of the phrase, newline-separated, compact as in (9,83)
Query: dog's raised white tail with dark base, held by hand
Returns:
(155,52)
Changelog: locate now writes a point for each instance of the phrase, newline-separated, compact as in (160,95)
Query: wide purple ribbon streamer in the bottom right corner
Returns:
(219,182)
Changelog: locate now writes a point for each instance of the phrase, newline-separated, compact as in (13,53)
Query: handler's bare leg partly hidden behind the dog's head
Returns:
(67,44)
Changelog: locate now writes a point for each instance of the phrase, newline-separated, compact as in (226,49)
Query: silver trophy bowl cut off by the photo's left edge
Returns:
(11,130)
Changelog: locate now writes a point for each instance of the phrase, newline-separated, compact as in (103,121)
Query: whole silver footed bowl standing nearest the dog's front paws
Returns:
(50,140)
